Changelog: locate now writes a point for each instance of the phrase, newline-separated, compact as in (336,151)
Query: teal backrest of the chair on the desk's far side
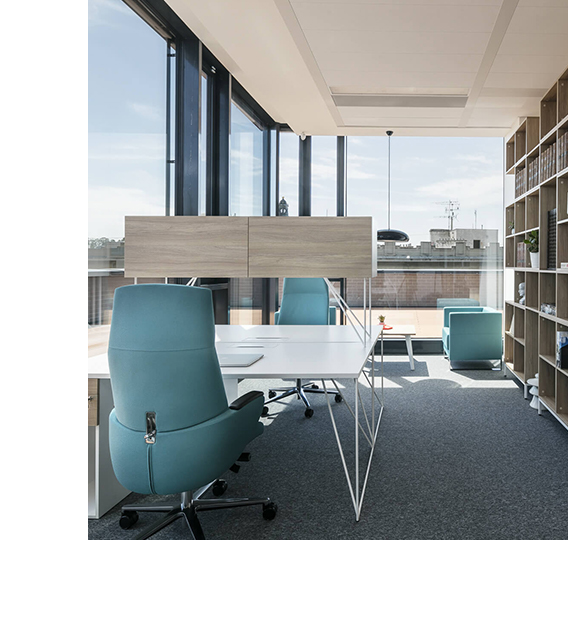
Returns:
(304,301)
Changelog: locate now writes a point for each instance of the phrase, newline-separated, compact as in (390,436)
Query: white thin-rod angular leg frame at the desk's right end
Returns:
(370,432)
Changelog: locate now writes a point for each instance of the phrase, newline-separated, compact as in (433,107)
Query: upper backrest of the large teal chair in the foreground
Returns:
(162,356)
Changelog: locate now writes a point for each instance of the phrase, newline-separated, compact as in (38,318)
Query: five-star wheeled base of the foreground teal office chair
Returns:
(187,509)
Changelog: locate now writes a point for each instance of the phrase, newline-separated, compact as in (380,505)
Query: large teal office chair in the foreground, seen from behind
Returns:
(172,429)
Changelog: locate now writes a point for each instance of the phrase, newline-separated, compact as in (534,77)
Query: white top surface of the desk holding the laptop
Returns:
(308,352)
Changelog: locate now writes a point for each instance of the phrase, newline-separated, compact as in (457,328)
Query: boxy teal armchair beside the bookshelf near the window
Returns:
(472,333)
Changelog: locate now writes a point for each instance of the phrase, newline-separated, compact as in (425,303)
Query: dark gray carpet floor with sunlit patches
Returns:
(460,456)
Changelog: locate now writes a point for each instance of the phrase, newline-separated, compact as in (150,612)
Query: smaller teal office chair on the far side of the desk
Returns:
(304,301)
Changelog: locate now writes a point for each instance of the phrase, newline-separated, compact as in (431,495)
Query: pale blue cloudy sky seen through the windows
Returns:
(126,150)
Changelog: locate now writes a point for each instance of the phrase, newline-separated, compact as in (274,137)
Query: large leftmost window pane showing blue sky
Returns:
(128,103)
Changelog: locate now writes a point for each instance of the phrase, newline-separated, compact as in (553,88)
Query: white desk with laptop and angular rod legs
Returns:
(306,352)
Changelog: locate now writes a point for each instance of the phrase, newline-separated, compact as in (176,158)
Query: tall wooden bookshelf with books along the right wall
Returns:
(536,156)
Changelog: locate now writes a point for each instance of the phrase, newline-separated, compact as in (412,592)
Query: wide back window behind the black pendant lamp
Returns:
(447,195)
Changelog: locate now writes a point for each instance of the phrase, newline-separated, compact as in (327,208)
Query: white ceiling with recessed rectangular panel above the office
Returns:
(360,67)
